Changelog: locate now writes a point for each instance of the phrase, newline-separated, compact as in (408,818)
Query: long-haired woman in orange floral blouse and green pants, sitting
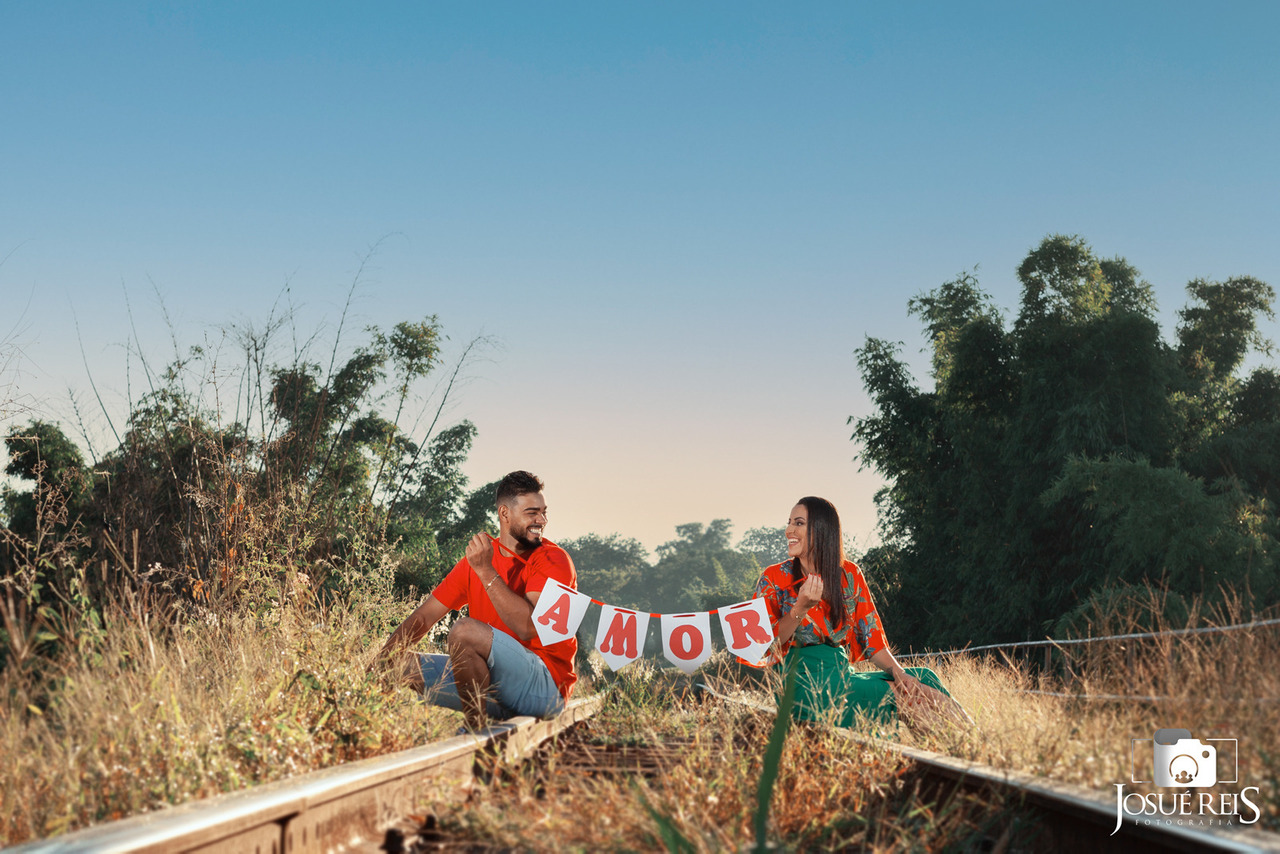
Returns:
(824,620)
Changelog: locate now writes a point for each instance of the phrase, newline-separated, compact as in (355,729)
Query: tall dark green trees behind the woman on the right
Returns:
(1071,453)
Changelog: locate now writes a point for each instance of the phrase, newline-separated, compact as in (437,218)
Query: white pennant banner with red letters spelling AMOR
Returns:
(687,638)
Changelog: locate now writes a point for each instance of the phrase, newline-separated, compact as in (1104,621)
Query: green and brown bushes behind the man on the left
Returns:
(328,488)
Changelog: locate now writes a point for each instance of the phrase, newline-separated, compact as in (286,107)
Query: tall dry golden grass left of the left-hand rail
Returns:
(149,715)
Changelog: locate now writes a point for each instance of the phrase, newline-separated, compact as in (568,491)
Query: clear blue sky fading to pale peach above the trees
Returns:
(678,221)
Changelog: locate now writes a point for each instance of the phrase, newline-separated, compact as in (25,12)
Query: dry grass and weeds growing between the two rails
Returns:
(705,762)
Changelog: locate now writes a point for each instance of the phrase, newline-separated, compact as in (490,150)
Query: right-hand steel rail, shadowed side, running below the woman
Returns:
(1077,818)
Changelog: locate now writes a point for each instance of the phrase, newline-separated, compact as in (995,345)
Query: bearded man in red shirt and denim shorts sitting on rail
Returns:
(497,665)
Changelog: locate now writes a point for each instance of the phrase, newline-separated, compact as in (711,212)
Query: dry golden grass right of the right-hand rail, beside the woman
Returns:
(1215,686)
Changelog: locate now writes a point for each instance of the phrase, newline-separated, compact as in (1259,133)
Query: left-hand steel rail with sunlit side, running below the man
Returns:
(348,807)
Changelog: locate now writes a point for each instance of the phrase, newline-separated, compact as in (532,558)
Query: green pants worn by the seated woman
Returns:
(830,691)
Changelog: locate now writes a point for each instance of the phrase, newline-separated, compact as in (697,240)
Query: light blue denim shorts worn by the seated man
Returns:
(519,682)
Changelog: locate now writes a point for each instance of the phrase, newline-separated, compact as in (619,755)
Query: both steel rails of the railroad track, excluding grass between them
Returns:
(368,806)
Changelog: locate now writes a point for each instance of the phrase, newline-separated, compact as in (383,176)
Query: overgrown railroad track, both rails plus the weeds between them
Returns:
(659,768)
